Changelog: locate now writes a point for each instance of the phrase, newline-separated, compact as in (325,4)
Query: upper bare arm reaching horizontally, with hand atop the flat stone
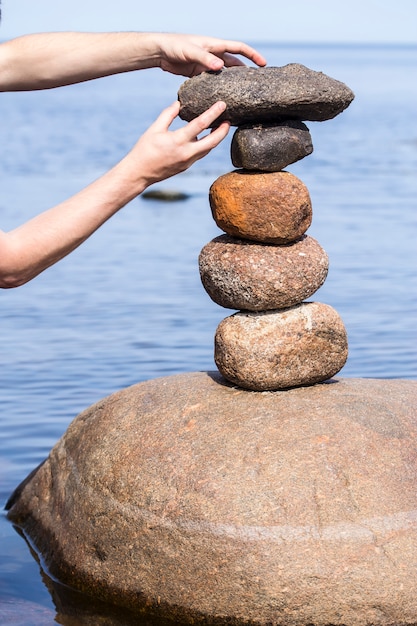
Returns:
(46,60)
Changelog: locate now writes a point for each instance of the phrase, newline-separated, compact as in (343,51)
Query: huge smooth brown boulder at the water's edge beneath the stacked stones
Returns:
(187,497)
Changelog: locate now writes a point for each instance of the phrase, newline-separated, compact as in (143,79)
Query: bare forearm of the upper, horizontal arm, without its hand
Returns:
(46,60)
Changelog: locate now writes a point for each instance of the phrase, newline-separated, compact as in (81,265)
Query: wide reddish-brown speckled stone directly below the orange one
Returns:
(240,274)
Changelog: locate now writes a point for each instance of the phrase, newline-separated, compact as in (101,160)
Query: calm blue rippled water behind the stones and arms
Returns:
(128,305)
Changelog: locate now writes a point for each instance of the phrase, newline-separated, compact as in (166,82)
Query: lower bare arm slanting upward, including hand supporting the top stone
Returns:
(29,249)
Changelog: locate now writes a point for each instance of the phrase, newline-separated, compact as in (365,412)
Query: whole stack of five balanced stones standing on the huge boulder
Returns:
(265,266)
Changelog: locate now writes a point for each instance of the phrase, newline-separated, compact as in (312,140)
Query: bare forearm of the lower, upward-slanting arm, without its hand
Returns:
(42,241)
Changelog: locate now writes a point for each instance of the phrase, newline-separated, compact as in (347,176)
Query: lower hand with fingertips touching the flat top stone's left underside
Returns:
(161,153)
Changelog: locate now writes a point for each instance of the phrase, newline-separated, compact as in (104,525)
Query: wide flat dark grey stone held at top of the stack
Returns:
(265,94)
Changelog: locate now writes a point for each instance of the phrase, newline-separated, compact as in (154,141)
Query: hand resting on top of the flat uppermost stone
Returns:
(189,55)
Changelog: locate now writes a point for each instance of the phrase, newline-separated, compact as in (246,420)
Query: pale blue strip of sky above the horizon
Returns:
(308,21)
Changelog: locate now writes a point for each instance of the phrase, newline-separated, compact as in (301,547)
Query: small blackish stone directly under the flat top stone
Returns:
(270,148)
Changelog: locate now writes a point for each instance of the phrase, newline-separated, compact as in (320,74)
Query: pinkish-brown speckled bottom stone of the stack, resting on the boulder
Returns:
(302,345)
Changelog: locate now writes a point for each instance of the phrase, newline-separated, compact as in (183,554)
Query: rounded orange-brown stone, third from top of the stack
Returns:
(267,207)
